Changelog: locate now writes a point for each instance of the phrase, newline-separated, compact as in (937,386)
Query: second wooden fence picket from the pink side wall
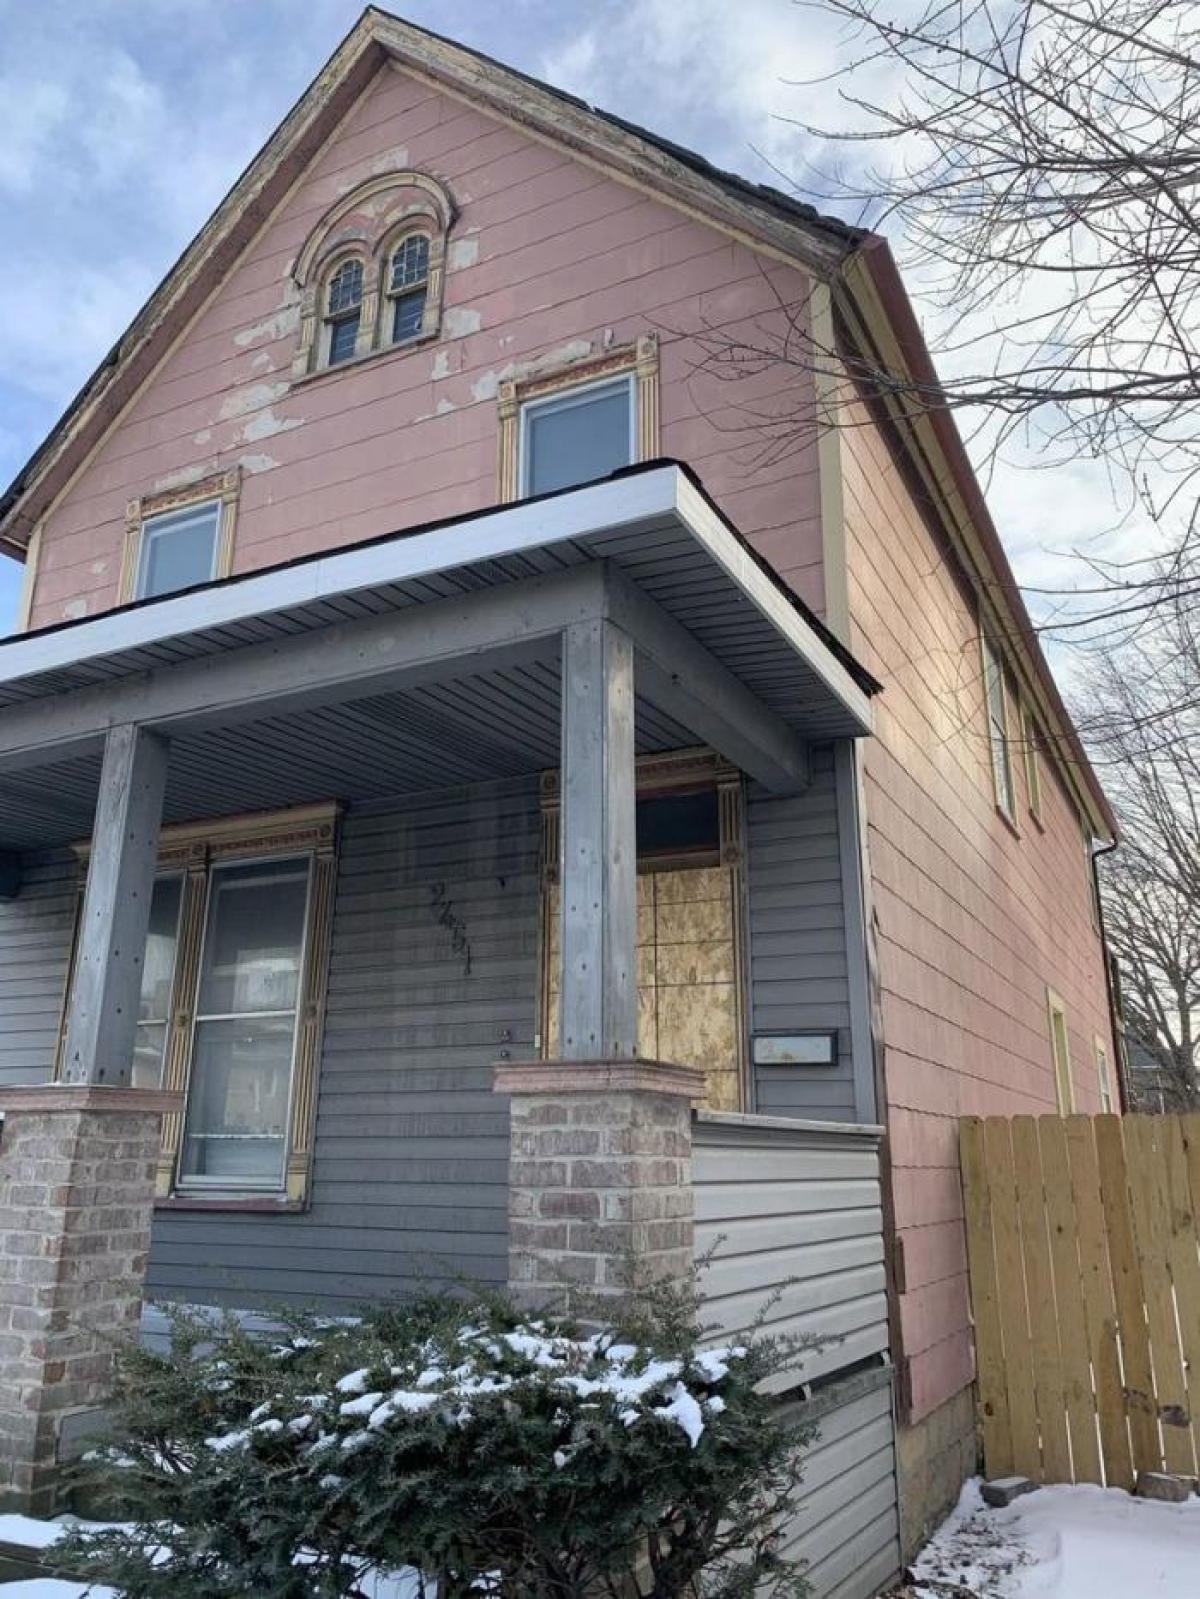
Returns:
(1014,1306)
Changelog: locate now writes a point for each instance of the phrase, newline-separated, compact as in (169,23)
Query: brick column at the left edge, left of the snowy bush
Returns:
(78,1173)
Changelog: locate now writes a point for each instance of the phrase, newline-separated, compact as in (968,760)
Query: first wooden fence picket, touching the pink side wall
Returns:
(985,1301)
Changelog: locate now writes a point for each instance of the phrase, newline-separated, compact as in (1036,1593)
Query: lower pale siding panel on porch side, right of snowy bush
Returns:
(847,1526)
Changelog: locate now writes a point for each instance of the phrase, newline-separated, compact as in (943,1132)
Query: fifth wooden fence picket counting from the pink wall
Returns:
(1098,1299)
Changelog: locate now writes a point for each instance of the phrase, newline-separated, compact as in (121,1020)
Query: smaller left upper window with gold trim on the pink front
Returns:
(180,538)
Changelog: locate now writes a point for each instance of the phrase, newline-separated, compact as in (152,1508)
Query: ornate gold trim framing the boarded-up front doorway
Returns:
(658,775)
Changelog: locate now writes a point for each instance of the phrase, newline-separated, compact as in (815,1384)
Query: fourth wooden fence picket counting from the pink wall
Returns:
(1070,1298)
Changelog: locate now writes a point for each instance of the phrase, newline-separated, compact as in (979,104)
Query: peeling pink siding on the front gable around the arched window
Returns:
(546,257)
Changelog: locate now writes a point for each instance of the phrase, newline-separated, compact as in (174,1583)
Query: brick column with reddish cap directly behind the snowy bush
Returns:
(599,1174)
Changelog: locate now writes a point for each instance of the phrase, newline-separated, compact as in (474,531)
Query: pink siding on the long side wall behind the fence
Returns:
(974,922)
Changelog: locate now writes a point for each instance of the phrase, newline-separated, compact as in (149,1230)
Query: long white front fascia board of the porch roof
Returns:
(510,530)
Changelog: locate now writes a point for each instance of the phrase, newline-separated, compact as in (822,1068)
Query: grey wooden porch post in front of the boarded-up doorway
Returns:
(599,845)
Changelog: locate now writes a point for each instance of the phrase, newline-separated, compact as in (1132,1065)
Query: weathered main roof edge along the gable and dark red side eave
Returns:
(855,260)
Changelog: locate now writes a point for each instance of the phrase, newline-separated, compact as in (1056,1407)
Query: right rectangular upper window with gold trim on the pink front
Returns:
(582,423)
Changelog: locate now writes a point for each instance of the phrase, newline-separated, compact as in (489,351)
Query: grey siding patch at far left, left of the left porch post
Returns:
(36,933)
